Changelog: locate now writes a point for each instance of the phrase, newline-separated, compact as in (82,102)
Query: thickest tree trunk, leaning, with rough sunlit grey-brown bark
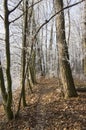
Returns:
(65,70)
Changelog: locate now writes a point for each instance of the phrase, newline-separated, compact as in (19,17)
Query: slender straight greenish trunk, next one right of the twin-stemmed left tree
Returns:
(24,51)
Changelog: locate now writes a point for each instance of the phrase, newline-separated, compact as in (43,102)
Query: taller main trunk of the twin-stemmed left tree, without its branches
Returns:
(8,75)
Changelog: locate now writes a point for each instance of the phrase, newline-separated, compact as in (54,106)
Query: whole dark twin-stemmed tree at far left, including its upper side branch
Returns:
(7,95)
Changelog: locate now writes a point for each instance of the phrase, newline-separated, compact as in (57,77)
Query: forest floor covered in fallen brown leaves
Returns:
(47,110)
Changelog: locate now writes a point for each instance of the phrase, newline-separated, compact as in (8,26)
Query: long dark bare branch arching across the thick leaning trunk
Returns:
(47,21)
